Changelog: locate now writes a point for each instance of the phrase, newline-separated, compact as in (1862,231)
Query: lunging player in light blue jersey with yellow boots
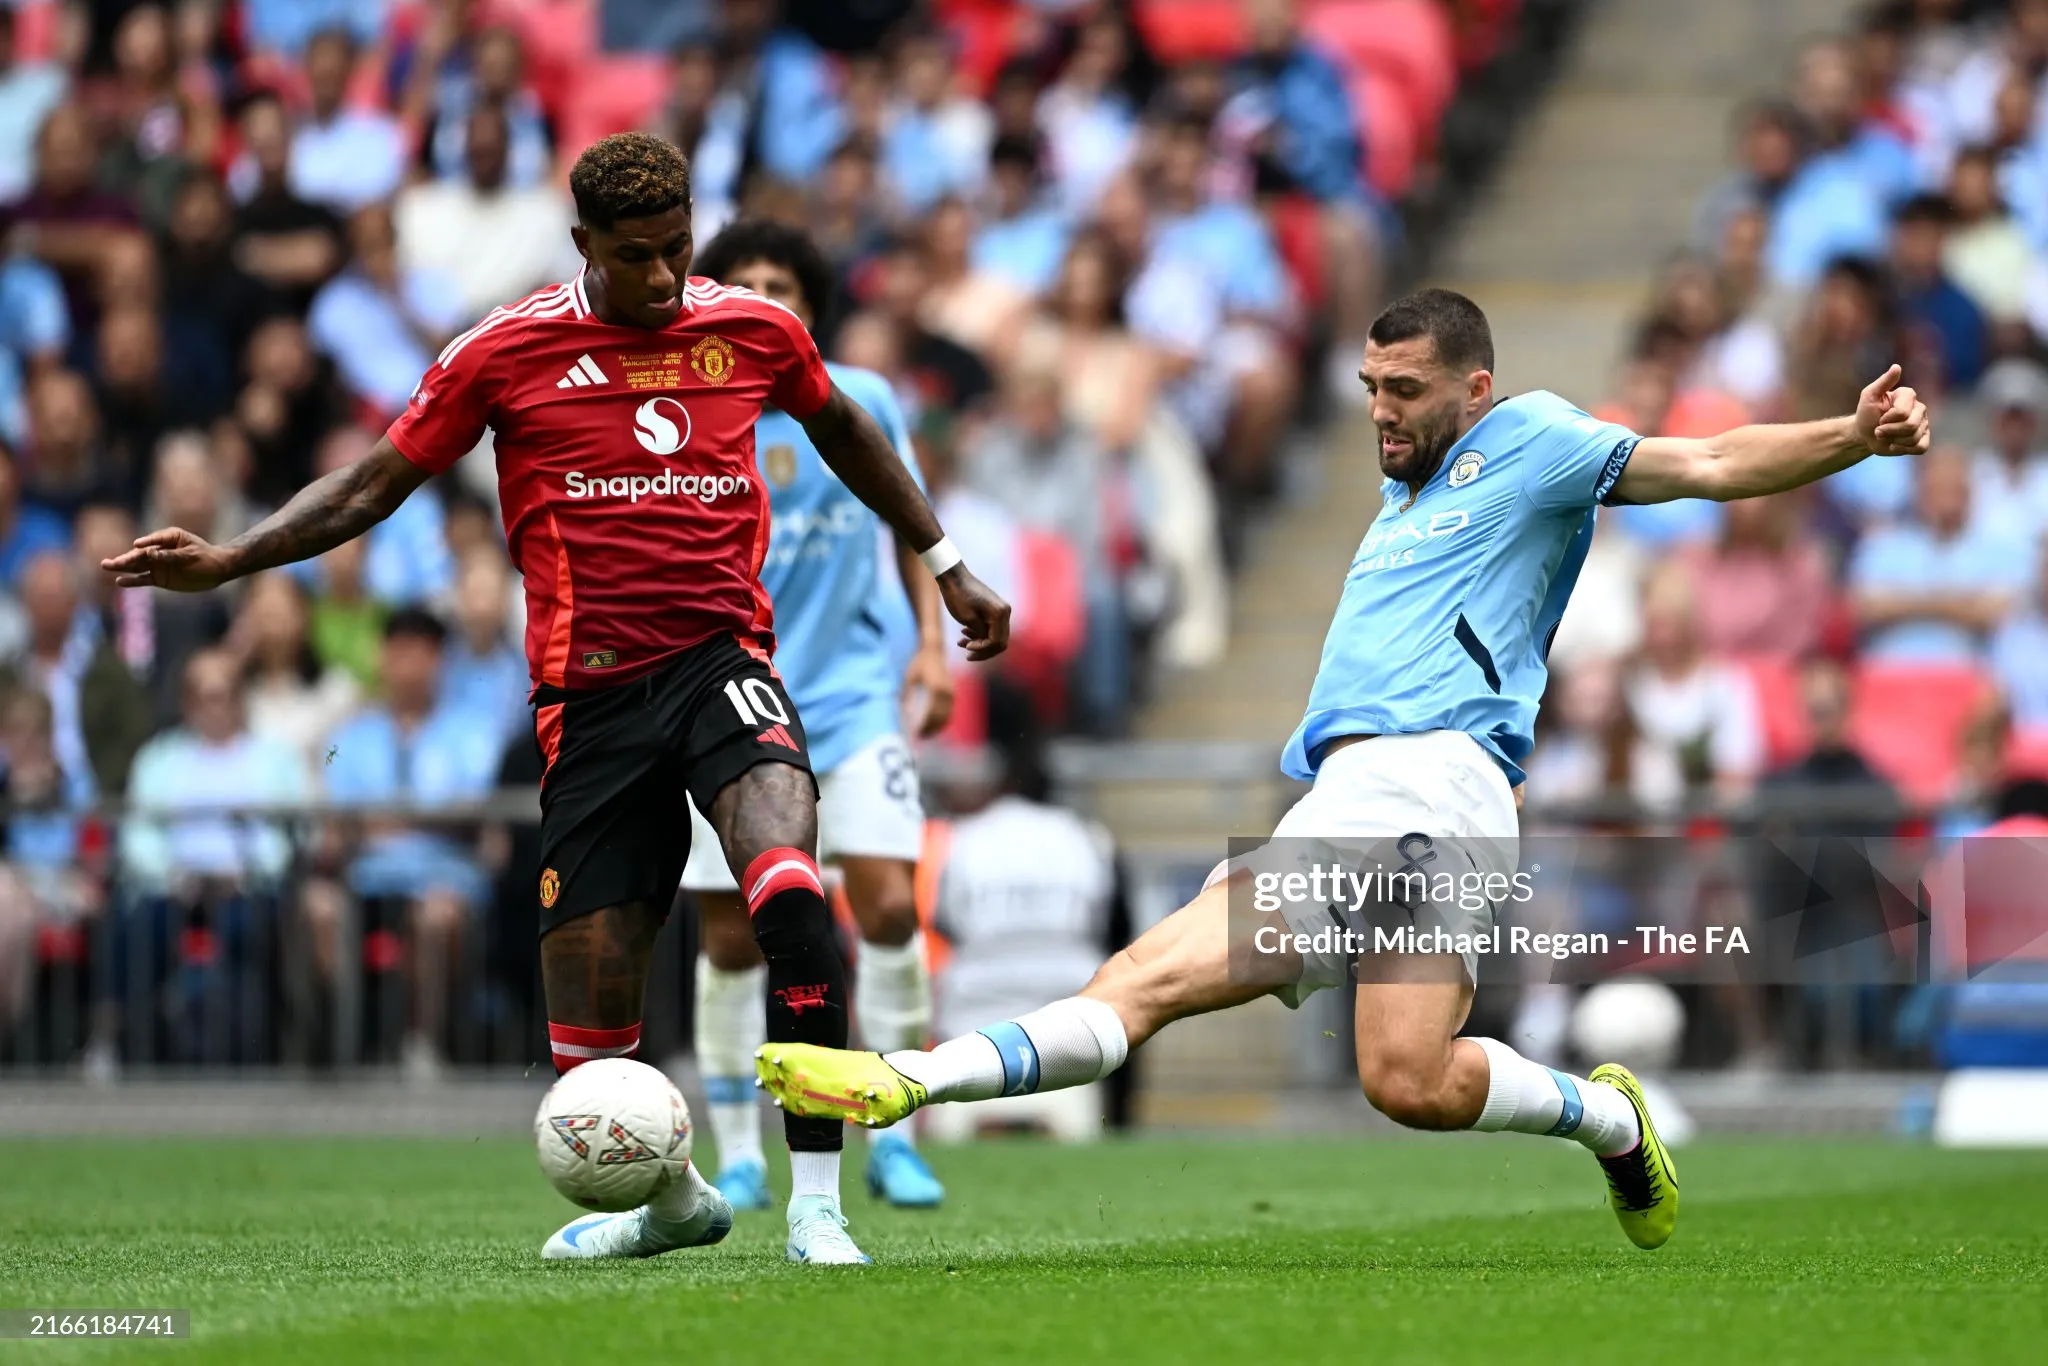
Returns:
(1416,728)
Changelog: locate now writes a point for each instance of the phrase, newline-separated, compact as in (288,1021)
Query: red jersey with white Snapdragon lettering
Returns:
(626,466)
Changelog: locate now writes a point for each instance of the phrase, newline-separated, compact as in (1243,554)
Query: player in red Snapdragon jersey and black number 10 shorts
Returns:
(624,409)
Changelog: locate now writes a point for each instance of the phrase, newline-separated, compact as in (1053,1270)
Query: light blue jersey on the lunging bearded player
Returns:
(1451,603)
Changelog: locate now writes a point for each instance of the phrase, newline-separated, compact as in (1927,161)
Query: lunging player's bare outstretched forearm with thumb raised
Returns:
(1770,460)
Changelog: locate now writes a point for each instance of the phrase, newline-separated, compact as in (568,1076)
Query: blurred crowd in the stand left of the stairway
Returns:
(1103,249)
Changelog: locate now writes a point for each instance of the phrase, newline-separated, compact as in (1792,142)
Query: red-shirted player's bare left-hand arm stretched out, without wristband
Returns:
(329,511)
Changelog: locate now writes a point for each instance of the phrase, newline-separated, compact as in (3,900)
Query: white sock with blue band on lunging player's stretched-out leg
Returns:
(1068,1043)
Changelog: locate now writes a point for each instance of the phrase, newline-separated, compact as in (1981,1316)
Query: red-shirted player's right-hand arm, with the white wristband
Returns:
(859,452)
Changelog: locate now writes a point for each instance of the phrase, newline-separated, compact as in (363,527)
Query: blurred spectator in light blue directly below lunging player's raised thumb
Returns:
(1932,591)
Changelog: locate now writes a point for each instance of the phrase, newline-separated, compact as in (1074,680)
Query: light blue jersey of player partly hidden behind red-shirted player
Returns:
(824,577)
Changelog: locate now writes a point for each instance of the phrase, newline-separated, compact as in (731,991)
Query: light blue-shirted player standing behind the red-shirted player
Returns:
(855,699)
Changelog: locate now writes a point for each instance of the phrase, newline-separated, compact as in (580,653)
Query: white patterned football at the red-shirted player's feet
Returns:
(613,1134)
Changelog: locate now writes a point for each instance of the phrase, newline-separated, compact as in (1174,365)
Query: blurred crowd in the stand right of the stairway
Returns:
(1889,628)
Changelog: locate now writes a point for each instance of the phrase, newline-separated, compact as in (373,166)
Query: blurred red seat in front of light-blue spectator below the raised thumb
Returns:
(1910,718)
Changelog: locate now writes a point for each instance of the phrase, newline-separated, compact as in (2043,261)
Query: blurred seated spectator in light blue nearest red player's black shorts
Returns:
(413,751)
